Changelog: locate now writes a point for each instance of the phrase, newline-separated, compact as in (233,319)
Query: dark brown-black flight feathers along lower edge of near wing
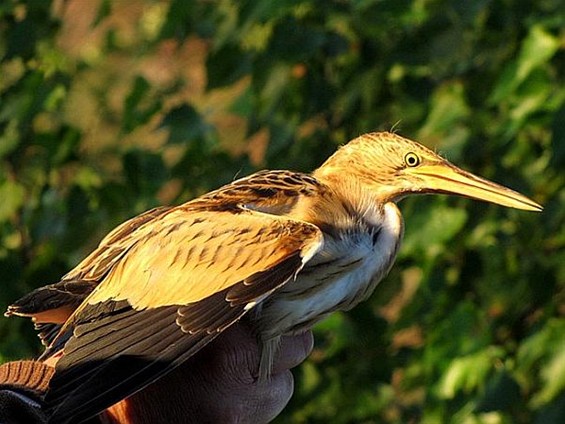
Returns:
(123,350)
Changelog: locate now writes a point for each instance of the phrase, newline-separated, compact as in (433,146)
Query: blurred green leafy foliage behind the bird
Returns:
(108,108)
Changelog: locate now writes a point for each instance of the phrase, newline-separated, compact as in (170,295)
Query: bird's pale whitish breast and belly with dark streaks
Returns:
(344,273)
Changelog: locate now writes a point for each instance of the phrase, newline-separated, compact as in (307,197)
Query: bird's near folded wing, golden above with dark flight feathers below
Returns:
(184,278)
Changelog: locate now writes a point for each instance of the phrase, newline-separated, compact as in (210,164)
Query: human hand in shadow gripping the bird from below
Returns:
(219,384)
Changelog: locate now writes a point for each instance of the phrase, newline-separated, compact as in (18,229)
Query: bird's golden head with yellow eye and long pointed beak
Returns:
(391,167)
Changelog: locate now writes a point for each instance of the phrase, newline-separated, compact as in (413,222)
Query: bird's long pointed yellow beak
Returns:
(446,178)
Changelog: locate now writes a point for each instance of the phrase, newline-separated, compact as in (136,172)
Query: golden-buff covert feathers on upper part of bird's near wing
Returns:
(201,253)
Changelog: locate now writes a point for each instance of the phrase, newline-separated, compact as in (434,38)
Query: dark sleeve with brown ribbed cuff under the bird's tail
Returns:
(22,387)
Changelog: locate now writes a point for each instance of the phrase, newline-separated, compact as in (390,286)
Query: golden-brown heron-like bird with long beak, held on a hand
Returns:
(284,249)
